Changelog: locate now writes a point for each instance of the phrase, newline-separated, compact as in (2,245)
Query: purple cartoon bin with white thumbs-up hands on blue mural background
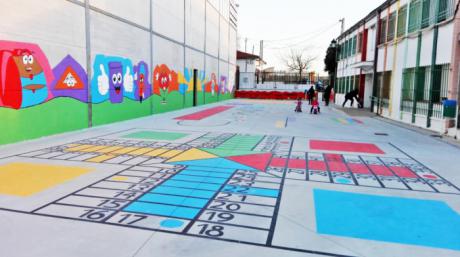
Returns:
(113,79)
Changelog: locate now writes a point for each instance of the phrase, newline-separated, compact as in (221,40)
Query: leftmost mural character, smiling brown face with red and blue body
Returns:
(24,75)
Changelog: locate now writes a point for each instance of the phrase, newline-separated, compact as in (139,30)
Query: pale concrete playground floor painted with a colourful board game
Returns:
(248,178)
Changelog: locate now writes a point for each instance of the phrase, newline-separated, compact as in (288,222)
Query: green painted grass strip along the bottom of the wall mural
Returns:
(67,114)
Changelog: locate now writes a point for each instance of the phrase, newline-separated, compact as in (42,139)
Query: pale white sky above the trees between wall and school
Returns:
(302,25)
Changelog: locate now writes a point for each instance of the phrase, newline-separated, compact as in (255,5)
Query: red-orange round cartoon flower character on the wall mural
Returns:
(164,81)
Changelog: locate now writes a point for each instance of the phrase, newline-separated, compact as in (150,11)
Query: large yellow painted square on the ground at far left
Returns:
(27,179)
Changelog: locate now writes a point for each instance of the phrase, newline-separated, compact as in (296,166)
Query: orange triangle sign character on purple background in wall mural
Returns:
(71,80)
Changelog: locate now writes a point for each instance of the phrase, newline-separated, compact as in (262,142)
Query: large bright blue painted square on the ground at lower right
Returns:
(390,219)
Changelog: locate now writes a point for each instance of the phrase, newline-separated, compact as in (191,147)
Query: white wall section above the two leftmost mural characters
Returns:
(57,35)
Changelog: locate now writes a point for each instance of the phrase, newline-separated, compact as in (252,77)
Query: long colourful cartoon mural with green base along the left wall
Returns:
(32,92)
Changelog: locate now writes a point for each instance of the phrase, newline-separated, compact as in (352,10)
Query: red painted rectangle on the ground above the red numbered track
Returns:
(345,147)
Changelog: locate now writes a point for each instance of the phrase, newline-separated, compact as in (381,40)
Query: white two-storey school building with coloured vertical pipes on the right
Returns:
(404,59)
